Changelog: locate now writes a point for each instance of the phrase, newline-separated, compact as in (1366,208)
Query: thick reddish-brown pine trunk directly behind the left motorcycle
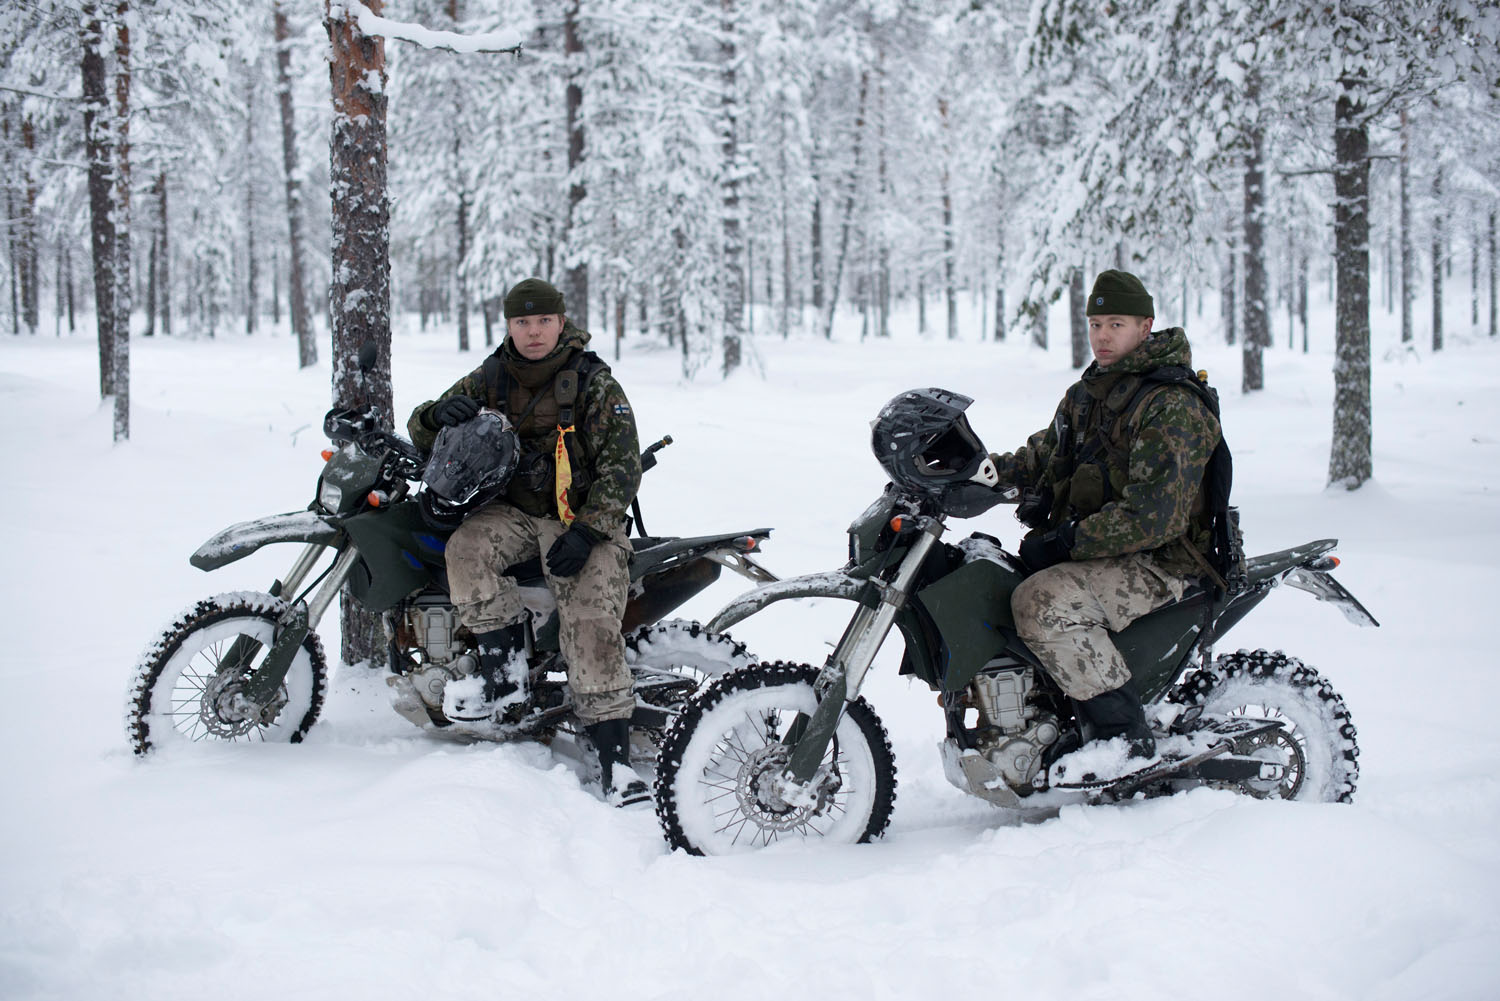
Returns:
(361,292)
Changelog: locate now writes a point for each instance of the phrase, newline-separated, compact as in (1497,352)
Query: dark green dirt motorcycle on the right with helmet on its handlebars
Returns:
(788,751)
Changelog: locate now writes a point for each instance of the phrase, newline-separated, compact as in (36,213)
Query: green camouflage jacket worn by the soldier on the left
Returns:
(605,452)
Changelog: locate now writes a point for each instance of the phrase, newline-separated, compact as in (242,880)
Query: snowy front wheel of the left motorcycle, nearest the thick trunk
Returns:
(188,685)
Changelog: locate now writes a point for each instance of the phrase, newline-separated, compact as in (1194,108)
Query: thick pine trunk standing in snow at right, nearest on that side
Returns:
(1351,460)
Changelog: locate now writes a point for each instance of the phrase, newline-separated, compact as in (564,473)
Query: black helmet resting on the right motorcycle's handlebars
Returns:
(926,445)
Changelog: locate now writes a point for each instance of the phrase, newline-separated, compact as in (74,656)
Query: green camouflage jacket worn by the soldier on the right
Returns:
(1132,481)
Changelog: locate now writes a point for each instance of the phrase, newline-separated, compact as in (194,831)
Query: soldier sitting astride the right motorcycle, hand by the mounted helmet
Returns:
(1114,493)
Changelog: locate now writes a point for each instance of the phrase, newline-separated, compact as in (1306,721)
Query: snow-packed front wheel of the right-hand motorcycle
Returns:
(719,789)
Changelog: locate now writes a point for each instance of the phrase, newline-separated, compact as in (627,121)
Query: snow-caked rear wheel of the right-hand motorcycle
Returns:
(1316,747)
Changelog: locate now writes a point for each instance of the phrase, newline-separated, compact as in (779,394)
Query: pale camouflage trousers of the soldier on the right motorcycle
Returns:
(1066,613)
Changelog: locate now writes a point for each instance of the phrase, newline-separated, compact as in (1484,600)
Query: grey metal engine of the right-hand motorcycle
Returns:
(1013,733)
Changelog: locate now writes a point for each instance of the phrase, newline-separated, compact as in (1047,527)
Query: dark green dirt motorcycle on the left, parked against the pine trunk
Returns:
(250,667)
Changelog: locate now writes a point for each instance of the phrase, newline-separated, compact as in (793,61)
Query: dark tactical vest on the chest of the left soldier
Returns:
(539,415)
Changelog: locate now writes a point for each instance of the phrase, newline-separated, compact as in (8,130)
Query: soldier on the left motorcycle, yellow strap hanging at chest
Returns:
(569,502)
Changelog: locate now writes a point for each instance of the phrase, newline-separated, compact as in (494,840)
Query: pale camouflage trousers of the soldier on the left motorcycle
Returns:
(590,604)
